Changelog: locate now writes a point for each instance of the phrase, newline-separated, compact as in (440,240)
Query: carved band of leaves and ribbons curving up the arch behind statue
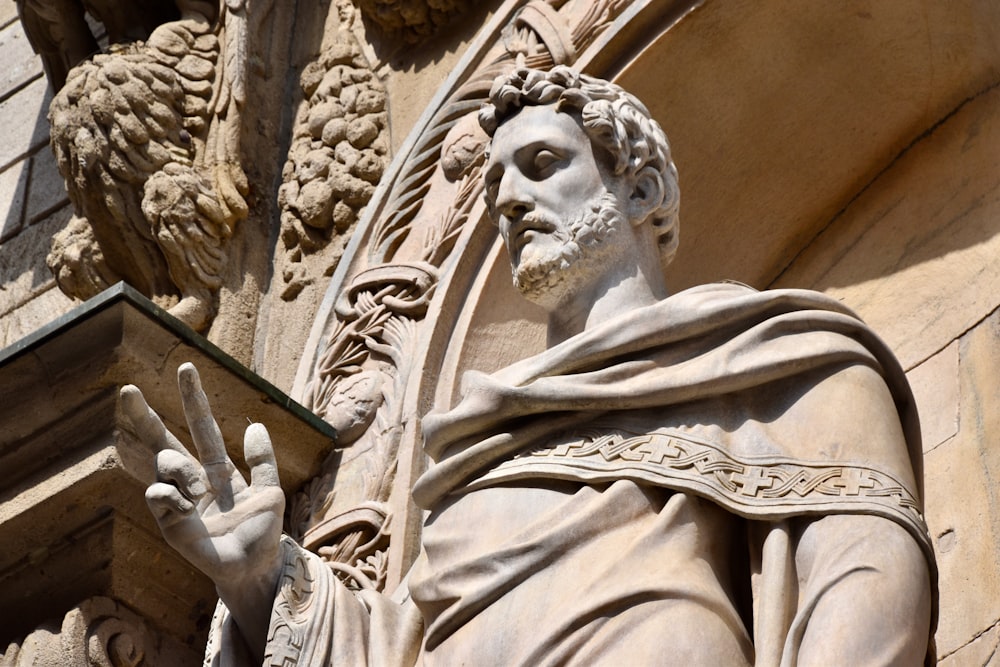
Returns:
(371,338)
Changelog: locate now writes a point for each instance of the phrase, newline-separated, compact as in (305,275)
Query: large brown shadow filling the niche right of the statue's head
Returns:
(784,118)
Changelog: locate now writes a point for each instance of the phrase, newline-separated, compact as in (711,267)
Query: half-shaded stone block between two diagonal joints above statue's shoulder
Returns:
(914,253)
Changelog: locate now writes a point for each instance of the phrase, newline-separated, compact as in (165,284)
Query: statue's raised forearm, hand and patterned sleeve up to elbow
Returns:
(280,604)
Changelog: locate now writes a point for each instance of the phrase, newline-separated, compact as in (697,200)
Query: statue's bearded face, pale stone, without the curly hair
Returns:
(549,195)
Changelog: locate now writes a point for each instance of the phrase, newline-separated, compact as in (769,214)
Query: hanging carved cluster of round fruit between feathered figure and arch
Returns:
(339,152)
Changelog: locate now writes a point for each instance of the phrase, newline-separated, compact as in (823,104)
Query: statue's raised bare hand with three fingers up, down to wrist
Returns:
(206,510)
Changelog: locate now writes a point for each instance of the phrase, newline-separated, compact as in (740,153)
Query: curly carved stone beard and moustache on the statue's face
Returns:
(538,272)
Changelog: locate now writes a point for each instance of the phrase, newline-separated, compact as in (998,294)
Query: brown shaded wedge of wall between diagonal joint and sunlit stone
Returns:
(938,201)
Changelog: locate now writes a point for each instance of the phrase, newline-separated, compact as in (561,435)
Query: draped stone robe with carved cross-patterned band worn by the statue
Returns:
(713,479)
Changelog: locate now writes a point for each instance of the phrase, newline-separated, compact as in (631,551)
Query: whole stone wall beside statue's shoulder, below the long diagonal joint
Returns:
(915,254)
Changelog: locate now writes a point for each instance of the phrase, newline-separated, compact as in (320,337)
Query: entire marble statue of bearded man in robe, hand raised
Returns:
(717,477)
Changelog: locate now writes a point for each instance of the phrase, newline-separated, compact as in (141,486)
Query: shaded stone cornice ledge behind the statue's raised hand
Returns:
(73,519)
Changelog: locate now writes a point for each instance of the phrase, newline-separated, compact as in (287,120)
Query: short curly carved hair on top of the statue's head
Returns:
(614,119)
